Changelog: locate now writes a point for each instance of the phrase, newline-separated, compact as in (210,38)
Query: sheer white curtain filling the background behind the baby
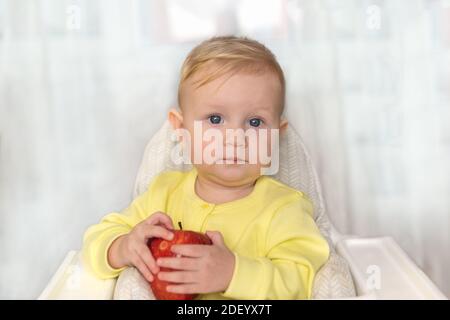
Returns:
(85,83)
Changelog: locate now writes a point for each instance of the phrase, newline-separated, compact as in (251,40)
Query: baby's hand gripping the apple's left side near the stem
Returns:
(131,249)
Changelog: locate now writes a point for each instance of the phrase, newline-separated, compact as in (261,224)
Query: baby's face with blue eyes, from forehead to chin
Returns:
(250,102)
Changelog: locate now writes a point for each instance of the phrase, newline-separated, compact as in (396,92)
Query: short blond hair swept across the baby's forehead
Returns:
(231,54)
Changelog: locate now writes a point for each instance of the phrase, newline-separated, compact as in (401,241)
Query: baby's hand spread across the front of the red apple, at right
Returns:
(202,269)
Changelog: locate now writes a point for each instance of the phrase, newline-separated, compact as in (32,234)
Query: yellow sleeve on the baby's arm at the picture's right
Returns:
(295,250)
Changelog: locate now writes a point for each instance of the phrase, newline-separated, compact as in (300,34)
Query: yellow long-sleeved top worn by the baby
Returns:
(272,233)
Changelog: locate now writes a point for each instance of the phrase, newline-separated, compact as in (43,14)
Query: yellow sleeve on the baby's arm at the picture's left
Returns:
(99,237)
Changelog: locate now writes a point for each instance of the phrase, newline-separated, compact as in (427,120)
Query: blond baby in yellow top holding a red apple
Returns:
(265,241)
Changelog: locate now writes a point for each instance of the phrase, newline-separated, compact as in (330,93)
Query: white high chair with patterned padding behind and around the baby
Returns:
(358,268)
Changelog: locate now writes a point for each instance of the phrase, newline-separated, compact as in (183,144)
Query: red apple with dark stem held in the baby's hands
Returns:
(161,248)
